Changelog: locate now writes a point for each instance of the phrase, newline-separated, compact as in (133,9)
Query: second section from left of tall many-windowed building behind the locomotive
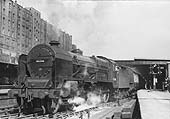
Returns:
(24,30)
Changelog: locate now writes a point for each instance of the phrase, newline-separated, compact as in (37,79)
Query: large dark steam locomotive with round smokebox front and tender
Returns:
(49,77)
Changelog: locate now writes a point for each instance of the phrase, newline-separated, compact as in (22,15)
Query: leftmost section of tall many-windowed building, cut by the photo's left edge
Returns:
(8,21)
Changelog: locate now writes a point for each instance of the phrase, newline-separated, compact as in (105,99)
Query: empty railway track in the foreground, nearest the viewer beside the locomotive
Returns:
(103,109)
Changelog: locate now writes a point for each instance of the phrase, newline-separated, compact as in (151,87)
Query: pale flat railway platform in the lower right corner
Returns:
(154,104)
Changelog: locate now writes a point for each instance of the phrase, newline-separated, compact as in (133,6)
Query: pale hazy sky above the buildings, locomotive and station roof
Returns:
(114,29)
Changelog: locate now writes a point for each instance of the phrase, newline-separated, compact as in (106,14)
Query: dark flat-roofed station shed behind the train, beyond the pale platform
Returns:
(154,71)
